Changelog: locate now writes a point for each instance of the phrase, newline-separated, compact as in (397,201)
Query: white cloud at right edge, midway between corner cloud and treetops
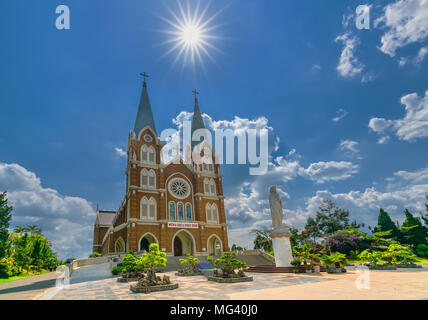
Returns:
(413,126)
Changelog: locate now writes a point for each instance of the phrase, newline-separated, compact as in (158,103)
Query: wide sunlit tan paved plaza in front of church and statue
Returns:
(399,284)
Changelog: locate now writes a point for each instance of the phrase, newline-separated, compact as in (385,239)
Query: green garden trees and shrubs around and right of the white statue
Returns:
(329,240)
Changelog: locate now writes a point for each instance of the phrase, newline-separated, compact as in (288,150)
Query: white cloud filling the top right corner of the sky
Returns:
(406,22)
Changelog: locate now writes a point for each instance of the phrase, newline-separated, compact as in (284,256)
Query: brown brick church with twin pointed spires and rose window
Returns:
(176,205)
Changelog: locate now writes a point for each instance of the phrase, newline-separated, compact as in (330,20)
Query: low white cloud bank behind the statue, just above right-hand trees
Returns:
(406,189)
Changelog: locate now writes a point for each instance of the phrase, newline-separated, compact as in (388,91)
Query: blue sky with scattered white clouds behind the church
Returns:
(69,99)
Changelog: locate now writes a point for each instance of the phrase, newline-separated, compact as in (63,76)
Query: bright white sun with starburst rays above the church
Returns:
(190,36)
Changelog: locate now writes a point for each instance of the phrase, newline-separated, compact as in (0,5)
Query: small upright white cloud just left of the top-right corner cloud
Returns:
(349,66)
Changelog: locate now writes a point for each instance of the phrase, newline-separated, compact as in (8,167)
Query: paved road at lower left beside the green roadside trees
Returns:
(28,288)
